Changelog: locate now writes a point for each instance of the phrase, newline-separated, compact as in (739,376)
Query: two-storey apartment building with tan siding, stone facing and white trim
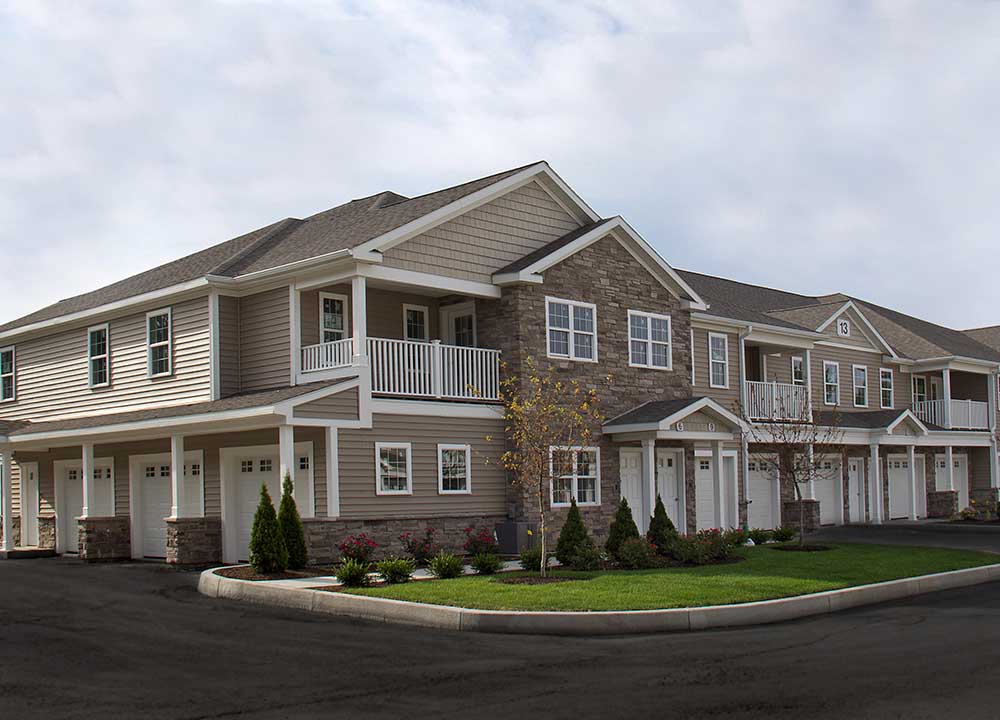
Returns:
(360,351)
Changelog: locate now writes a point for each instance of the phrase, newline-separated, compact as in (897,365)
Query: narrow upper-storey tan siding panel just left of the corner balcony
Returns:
(265,341)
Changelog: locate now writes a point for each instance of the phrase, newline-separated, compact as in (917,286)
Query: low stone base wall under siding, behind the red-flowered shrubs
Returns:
(323,536)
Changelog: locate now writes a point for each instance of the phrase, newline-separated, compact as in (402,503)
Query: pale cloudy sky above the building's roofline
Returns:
(816,147)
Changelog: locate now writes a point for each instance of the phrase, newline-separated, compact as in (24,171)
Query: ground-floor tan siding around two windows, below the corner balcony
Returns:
(357,467)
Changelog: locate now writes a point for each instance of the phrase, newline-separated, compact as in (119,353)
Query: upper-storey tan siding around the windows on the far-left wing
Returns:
(52,371)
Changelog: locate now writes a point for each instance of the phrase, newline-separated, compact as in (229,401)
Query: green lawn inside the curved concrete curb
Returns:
(764,574)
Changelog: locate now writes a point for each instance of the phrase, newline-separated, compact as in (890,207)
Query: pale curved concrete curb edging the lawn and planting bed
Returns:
(589,623)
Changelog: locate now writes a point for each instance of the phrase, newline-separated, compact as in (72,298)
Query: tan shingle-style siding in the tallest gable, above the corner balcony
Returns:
(486,239)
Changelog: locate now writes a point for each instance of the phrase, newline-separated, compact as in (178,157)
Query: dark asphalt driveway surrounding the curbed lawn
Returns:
(138,641)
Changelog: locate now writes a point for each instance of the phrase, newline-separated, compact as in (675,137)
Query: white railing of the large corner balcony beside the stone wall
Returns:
(406,368)
